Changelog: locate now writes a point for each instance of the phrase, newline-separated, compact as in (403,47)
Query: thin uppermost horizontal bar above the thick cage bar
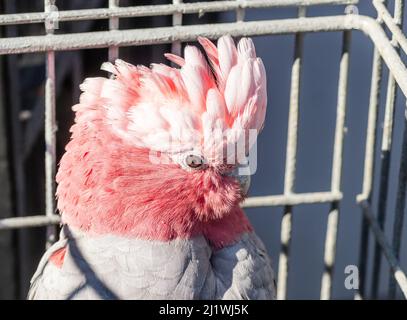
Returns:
(161,10)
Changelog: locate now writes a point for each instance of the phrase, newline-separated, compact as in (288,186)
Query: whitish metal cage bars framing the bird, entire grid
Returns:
(386,50)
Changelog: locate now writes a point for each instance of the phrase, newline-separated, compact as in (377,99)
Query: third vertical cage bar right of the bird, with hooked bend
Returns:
(369,167)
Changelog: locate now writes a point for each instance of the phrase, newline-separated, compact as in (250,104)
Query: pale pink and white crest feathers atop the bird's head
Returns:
(169,109)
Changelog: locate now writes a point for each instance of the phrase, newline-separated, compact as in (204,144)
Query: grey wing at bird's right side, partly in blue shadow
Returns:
(244,271)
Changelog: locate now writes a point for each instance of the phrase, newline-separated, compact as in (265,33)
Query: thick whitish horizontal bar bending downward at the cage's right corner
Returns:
(151,36)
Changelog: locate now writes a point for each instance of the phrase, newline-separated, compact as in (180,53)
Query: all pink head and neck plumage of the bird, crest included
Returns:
(107,182)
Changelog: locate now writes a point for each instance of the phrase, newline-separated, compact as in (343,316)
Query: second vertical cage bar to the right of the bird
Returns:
(333,216)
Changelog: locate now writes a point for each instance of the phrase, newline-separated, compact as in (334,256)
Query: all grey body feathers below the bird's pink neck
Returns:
(112,267)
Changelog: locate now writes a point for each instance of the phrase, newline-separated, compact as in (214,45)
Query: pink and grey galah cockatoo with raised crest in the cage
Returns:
(147,191)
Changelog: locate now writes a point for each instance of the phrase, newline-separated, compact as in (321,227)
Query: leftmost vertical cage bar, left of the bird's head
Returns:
(50,126)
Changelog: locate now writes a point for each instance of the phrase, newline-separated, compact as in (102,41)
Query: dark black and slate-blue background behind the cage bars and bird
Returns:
(22,147)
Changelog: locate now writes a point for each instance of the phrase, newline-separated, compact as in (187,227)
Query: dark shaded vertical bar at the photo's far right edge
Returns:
(400,207)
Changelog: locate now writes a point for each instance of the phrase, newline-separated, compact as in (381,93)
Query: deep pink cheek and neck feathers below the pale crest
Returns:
(107,187)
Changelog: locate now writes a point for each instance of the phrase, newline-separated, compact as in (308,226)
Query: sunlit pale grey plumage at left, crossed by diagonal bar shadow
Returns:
(112,267)
